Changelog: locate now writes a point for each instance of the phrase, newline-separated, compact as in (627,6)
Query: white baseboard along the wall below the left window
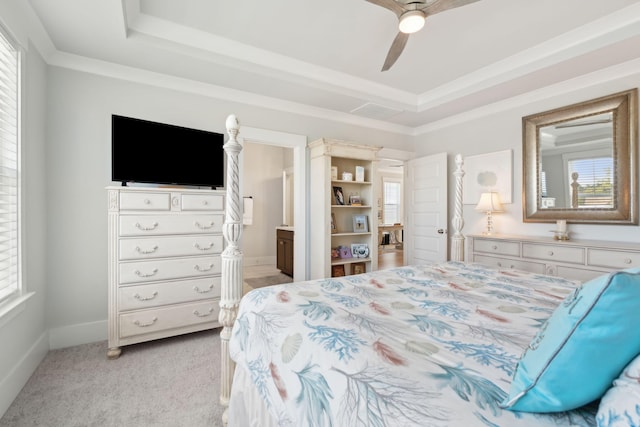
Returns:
(11,385)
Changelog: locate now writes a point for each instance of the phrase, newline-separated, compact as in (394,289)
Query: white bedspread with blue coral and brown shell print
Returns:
(410,346)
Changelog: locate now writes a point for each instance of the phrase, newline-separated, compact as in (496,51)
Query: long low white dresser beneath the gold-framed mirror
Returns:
(573,259)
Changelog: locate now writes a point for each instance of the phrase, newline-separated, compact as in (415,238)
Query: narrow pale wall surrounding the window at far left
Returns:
(23,335)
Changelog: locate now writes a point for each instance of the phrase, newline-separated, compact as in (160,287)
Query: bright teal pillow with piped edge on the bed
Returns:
(582,347)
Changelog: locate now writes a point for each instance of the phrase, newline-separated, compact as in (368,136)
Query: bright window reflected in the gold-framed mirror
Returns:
(594,183)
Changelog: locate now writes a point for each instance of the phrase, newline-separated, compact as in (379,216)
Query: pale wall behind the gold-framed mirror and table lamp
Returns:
(480,132)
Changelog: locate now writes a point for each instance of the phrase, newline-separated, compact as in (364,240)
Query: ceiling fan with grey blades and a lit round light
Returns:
(411,16)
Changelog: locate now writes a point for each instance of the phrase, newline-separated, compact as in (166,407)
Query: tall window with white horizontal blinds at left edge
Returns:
(9,168)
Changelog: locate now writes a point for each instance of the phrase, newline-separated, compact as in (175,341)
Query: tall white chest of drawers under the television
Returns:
(164,263)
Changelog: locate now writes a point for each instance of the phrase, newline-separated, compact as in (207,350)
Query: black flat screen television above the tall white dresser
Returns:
(150,152)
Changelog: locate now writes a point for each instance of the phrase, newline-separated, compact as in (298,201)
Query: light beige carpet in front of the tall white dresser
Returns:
(169,382)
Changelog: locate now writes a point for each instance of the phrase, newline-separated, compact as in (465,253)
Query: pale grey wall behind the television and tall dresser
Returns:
(79,168)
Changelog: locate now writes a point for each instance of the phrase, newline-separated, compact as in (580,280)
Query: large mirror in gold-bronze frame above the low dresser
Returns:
(580,162)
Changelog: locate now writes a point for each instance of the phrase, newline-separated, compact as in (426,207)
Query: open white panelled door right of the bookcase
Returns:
(425,239)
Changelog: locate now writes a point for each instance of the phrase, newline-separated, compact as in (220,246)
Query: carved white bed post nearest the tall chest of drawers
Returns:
(231,291)
